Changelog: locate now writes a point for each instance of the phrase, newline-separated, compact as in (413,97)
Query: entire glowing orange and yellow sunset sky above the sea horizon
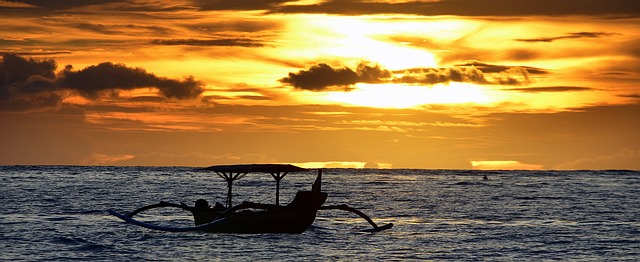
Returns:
(453,84)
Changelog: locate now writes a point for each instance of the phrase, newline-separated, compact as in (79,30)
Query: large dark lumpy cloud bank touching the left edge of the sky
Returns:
(29,84)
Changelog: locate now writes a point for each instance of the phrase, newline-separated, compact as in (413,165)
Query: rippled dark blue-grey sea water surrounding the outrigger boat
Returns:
(59,213)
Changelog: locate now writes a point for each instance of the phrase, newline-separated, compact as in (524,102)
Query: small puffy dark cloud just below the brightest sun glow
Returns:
(322,76)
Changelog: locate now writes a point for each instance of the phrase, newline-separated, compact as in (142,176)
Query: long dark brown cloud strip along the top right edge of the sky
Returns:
(625,8)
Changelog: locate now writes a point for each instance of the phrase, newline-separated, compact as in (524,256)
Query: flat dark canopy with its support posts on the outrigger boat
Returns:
(231,173)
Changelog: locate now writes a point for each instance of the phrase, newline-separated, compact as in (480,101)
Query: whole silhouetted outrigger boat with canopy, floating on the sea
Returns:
(249,217)
